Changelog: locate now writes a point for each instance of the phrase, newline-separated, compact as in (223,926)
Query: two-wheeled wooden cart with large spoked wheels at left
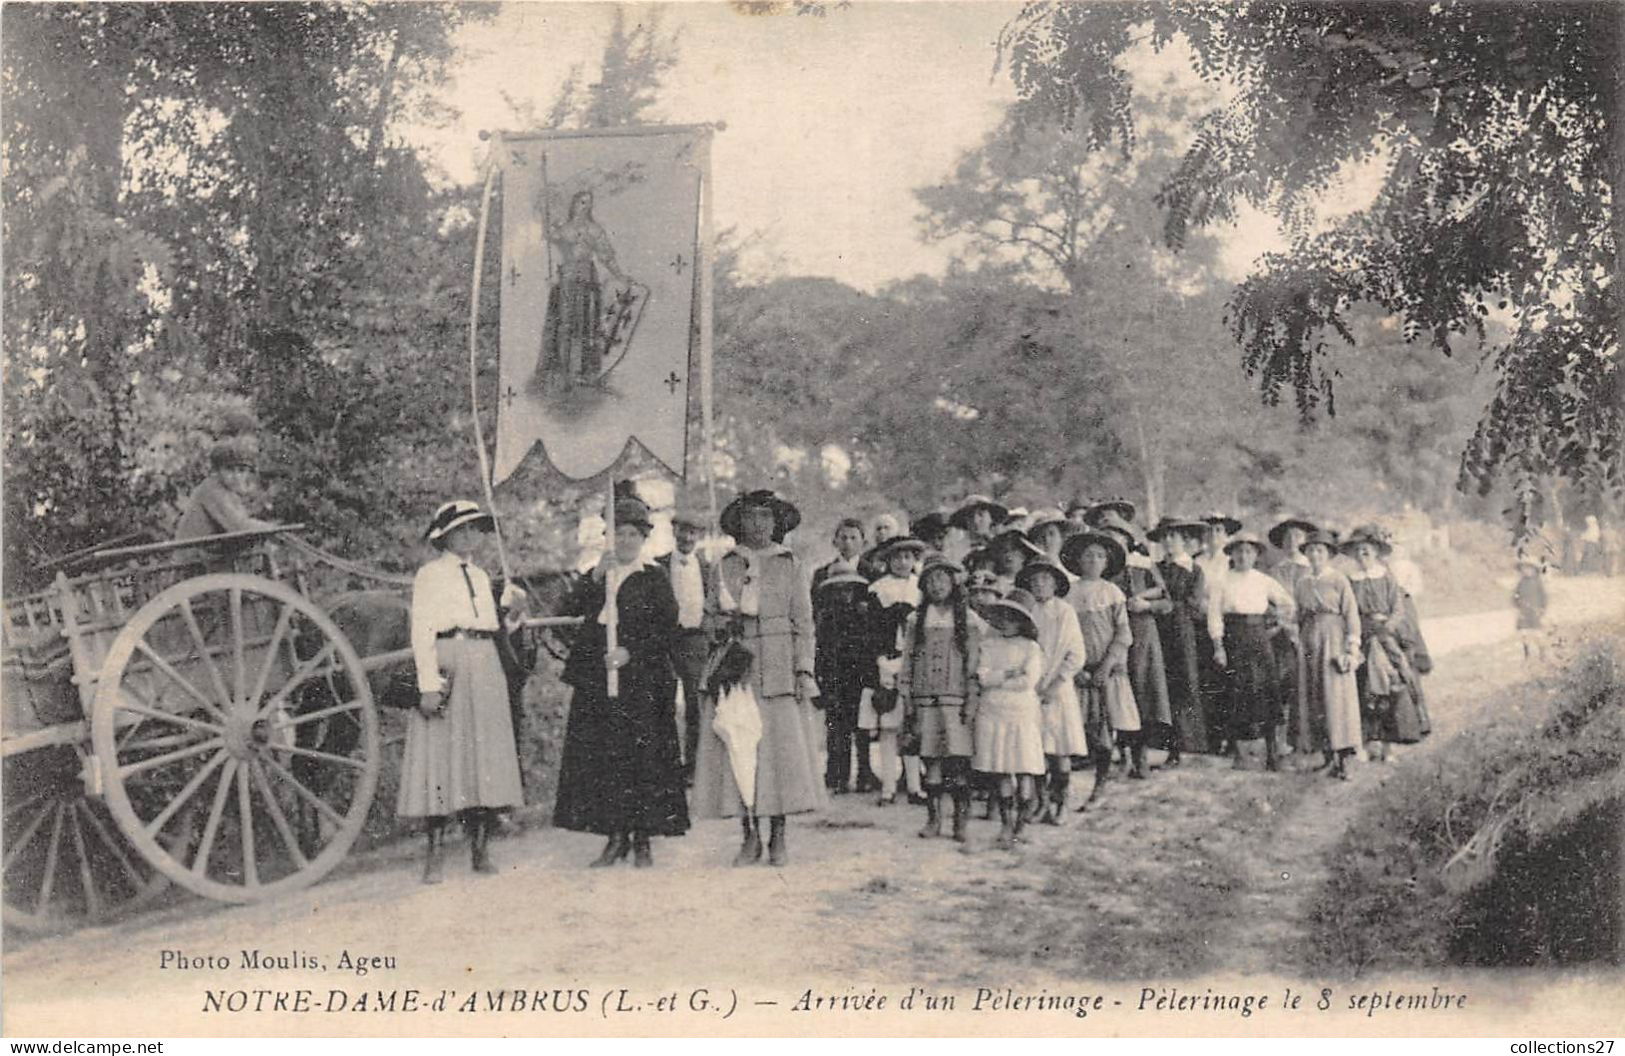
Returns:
(178,712)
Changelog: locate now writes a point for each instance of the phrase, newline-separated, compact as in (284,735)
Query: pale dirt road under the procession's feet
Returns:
(1200,870)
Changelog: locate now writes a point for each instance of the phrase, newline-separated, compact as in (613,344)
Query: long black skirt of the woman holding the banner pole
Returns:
(622,769)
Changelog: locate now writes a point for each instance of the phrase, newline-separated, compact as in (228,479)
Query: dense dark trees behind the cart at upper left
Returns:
(184,181)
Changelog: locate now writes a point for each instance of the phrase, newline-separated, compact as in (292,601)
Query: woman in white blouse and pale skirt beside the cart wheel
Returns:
(461,756)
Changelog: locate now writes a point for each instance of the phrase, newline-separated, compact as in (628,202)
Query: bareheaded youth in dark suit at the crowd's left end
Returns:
(843,657)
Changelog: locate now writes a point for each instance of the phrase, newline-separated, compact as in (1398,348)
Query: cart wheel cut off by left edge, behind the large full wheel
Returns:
(66,860)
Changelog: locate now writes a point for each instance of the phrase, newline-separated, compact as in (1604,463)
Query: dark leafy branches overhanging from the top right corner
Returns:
(1496,124)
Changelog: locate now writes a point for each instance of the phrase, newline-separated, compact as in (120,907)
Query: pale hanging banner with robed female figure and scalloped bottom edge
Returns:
(600,238)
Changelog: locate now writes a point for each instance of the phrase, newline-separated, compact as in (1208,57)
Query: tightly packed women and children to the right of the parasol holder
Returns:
(995,652)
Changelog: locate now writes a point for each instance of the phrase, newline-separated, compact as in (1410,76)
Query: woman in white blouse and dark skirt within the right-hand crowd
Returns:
(1242,607)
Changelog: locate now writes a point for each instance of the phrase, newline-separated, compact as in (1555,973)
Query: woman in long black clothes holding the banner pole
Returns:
(623,773)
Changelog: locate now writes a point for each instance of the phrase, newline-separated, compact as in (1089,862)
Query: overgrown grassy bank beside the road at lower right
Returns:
(1501,847)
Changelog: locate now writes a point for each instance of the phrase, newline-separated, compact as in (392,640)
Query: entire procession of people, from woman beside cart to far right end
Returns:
(981,654)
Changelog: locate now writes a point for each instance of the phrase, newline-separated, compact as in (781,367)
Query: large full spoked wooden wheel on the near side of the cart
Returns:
(236,737)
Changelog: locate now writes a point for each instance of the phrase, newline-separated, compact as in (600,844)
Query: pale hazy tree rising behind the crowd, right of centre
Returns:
(1041,199)
